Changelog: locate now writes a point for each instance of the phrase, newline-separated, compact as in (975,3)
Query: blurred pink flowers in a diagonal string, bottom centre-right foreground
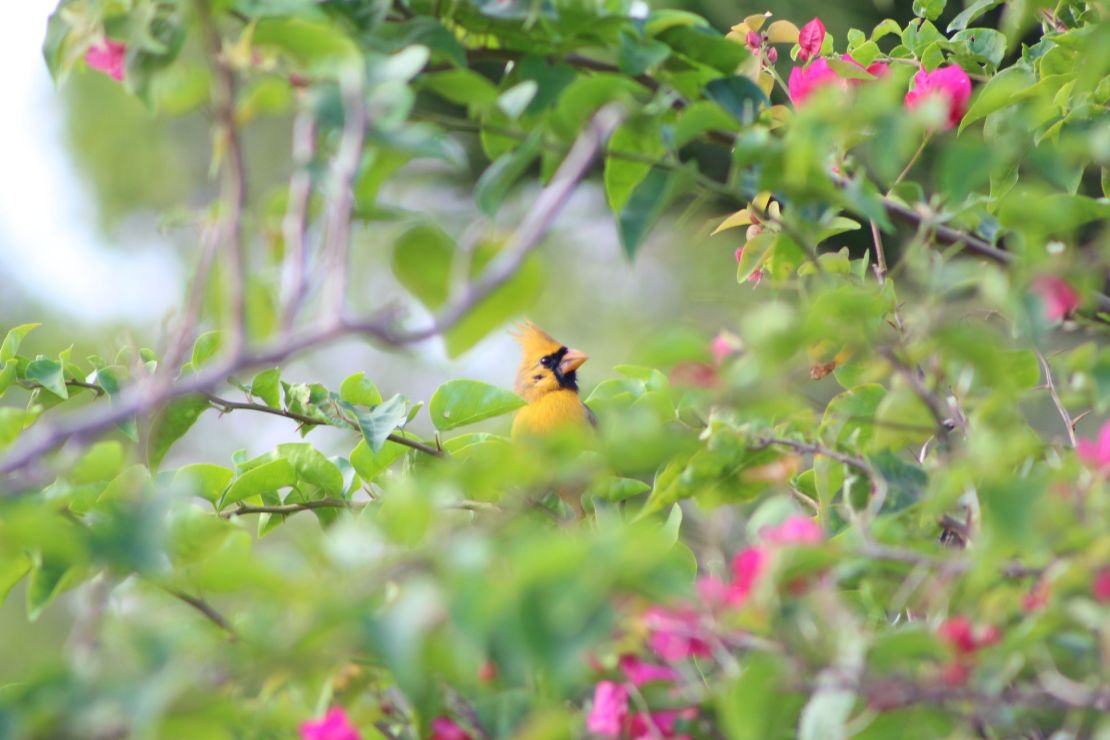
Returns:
(678,634)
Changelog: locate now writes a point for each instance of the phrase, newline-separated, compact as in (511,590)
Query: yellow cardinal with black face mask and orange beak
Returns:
(548,380)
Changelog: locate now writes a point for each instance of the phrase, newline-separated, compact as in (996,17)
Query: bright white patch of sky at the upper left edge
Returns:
(48,238)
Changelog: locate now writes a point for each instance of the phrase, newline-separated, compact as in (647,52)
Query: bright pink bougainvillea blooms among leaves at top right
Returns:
(950,84)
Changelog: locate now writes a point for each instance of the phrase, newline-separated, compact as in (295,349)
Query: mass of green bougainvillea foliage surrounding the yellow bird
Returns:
(884,434)
